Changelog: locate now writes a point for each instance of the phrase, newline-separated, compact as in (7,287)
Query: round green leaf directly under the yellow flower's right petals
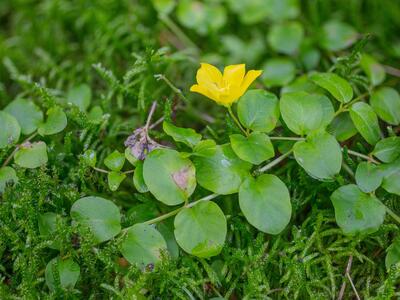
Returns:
(258,110)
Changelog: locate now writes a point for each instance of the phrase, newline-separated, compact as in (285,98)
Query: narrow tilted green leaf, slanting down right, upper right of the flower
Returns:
(335,85)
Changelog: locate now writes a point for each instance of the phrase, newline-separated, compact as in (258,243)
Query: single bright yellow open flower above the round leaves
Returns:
(227,88)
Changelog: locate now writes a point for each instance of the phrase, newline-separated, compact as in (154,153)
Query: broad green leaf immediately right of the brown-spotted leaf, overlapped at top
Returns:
(221,172)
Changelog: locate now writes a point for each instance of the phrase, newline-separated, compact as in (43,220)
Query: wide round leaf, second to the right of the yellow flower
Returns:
(303,112)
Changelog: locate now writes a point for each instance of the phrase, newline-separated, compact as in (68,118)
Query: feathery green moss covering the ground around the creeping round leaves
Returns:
(115,47)
